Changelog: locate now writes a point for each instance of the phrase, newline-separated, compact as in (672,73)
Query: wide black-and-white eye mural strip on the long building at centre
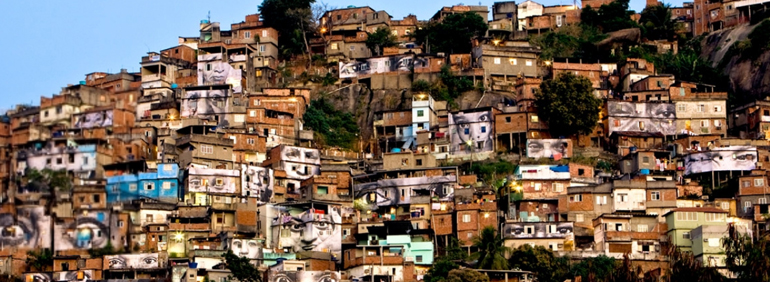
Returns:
(398,191)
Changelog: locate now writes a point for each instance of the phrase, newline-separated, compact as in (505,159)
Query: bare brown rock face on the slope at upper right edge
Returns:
(749,79)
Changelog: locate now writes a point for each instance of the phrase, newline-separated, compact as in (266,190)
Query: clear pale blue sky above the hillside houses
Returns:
(50,44)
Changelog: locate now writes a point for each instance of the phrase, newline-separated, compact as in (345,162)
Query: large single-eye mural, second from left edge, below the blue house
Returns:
(83,232)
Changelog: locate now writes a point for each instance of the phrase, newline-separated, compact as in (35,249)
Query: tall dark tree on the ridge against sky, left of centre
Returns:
(291,18)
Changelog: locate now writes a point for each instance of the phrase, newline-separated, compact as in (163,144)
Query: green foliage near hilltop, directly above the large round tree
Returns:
(571,41)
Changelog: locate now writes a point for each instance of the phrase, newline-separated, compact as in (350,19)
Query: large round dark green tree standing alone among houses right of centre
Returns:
(567,104)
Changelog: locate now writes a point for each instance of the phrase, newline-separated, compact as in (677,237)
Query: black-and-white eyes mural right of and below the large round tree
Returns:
(642,117)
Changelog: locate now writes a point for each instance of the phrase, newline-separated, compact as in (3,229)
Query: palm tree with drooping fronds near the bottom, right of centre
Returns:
(491,250)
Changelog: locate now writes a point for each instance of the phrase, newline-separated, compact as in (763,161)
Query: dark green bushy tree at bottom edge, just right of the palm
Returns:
(546,266)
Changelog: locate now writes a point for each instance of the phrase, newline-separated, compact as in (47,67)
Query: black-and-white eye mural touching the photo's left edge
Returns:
(30,229)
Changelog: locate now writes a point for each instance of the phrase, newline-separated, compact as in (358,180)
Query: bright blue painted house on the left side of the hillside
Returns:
(162,185)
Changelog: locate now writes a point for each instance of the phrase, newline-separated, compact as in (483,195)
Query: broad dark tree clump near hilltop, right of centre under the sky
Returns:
(453,34)
